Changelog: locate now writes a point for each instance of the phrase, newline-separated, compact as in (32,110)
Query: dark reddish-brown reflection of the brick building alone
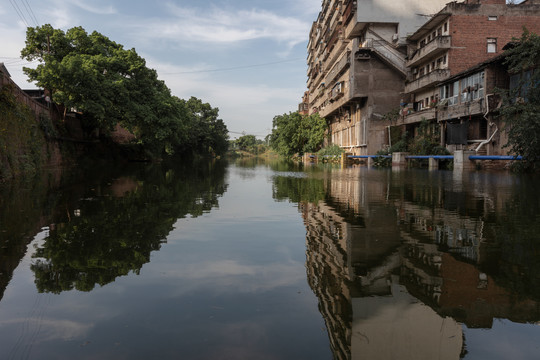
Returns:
(443,254)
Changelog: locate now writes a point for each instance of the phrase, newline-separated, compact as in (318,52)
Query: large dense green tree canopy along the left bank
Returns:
(111,85)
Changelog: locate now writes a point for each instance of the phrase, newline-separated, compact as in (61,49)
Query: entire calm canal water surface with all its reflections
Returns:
(269,260)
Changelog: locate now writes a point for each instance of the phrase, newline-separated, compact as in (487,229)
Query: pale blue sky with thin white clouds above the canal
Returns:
(247,58)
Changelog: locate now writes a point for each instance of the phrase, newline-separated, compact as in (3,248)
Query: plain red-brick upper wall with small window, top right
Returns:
(470,28)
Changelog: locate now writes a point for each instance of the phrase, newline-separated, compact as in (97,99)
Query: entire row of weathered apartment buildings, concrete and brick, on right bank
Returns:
(430,61)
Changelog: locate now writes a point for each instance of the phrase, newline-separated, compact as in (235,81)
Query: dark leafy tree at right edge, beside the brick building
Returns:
(521,109)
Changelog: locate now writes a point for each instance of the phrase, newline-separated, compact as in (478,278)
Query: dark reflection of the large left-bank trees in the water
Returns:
(108,235)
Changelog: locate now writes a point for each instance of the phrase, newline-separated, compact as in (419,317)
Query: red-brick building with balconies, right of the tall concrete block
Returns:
(455,65)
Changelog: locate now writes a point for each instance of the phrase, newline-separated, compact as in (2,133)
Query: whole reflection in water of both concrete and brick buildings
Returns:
(397,265)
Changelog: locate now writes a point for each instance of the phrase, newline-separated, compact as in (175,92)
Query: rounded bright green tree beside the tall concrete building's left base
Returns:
(294,133)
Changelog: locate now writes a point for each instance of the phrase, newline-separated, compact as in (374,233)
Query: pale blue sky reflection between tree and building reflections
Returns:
(228,284)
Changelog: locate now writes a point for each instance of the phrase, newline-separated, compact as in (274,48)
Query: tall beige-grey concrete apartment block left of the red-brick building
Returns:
(357,66)
